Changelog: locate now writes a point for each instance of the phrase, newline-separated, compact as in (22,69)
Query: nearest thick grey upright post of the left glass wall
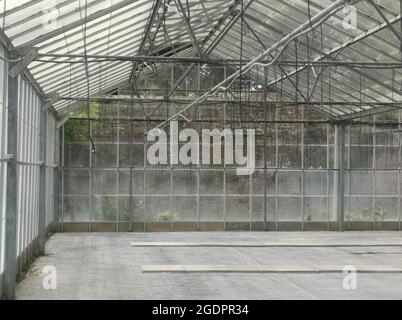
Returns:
(10,266)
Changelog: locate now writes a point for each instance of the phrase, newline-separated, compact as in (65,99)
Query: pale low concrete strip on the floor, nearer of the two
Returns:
(262,269)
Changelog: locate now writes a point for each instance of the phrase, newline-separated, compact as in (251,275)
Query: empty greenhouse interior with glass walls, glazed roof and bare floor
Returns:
(92,89)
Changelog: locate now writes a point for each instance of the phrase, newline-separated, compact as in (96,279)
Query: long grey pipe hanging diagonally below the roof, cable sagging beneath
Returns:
(284,42)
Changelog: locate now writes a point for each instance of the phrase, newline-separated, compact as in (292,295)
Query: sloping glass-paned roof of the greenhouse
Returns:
(117,28)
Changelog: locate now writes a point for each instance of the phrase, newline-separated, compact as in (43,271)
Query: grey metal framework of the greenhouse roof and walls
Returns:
(211,38)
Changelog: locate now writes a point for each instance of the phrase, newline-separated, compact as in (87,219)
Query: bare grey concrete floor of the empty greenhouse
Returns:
(105,266)
